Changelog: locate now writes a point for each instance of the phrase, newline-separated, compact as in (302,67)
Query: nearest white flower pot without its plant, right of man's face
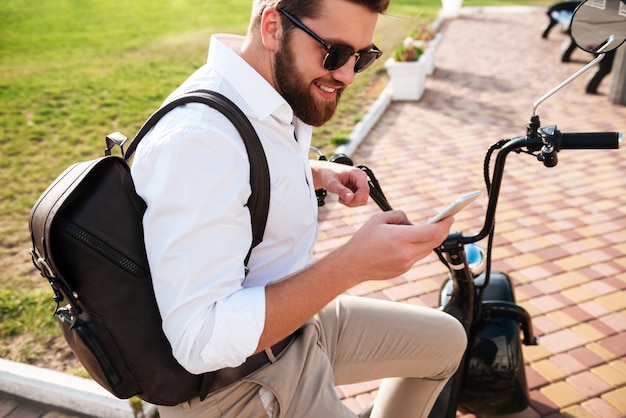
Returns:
(408,79)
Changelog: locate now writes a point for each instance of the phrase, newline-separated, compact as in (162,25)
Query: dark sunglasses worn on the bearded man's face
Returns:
(338,55)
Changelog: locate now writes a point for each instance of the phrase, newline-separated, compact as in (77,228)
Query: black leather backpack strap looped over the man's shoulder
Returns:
(259,200)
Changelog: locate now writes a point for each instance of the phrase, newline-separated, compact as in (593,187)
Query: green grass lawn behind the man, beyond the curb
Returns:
(72,72)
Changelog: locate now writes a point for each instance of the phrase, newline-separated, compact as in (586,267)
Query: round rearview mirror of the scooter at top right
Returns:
(599,26)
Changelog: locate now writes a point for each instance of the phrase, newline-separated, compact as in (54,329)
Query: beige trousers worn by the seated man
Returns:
(353,339)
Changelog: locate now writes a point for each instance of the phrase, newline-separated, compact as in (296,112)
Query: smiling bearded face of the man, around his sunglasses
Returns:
(312,91)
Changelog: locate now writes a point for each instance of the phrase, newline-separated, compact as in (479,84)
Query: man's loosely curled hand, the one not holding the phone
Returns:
(349,183)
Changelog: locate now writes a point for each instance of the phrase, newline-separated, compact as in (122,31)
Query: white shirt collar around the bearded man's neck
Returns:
(262,98)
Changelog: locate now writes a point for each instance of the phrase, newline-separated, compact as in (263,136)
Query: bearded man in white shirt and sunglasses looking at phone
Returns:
(284,312)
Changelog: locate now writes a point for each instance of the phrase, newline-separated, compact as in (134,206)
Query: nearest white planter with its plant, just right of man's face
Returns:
(407,72)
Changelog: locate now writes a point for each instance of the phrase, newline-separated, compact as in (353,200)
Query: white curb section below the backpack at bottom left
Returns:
(62,390)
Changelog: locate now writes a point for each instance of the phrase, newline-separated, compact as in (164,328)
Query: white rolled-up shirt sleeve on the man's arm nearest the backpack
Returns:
(198,231)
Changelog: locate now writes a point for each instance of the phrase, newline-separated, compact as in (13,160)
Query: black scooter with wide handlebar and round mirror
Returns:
(491,379)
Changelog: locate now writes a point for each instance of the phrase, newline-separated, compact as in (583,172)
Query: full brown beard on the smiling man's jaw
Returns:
(295,89)
